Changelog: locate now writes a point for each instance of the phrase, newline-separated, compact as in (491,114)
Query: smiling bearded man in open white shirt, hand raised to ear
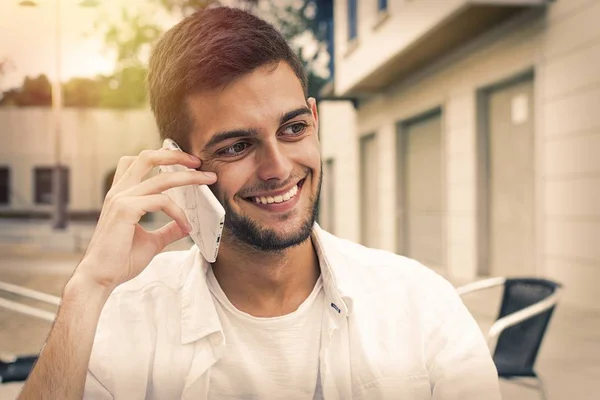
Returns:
(287,310)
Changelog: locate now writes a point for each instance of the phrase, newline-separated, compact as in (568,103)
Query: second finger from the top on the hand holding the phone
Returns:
(161,182)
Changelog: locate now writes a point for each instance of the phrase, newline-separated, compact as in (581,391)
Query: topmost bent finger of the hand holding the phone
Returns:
(149,159)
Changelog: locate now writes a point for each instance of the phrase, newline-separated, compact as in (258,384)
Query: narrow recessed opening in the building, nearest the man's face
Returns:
(369,192)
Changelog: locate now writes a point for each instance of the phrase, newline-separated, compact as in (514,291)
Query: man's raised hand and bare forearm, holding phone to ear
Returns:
(120,249)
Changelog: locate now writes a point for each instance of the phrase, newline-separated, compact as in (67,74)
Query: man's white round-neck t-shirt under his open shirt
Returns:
(268,358)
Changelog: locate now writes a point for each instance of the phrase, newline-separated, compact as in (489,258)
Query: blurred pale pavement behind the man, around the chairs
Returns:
(569,359)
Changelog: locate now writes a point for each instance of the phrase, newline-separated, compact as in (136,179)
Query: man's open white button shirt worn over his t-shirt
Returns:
(393,329)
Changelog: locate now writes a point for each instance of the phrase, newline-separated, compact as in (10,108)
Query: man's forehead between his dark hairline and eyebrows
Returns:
(255,100)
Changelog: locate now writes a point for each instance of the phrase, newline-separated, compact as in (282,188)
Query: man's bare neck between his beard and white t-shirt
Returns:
(267,284)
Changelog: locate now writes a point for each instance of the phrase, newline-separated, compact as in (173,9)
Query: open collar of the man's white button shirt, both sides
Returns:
(199,317)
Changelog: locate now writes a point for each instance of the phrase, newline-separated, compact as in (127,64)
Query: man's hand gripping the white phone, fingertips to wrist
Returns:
(120,248)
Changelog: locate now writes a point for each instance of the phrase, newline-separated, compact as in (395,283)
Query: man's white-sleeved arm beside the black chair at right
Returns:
(460,364)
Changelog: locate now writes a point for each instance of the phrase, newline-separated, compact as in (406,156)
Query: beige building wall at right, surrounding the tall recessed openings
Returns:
(562,48)
